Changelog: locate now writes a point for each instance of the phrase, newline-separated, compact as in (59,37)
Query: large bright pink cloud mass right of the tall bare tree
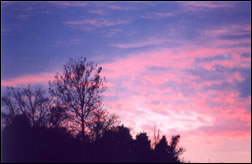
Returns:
(145,97)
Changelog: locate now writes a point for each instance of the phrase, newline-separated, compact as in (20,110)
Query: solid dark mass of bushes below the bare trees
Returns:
(23,143)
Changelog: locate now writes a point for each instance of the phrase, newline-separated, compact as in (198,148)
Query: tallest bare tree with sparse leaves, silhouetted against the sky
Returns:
(79,89)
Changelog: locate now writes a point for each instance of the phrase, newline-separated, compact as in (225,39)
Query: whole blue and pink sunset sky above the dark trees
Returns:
(184,67)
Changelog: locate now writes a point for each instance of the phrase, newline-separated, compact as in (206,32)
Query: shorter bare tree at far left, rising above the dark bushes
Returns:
(29,101)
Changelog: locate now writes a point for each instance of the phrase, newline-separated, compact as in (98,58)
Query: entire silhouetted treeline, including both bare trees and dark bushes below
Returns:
(70,124)
